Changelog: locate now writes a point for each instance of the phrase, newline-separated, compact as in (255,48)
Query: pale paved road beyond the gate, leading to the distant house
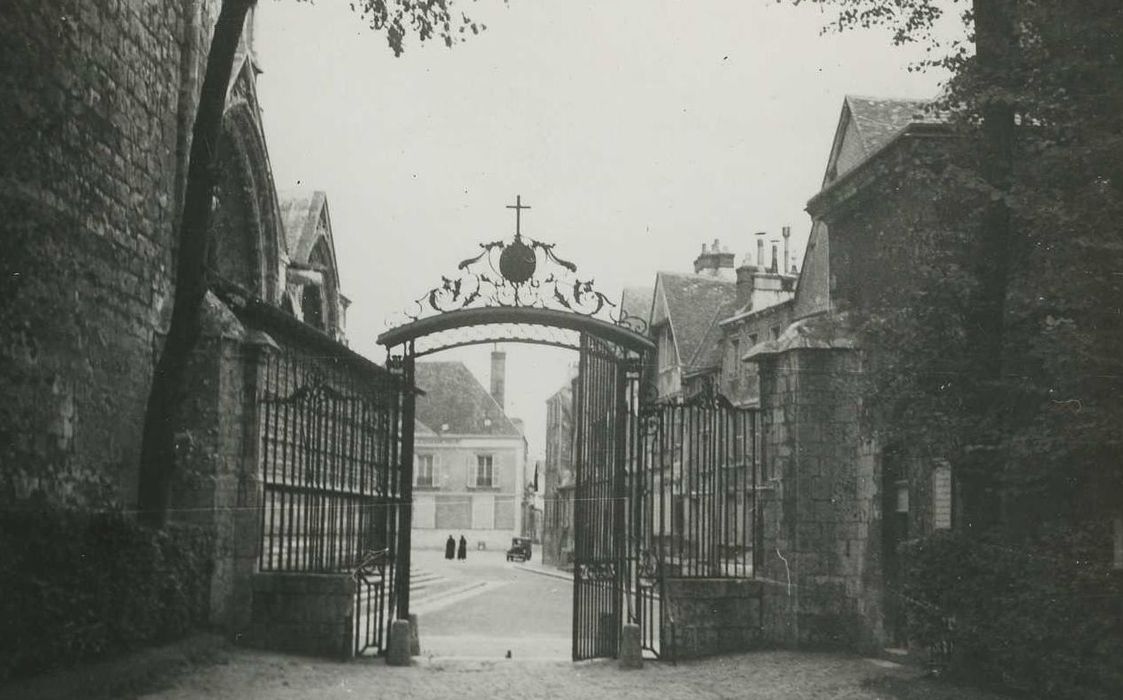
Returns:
(508,610)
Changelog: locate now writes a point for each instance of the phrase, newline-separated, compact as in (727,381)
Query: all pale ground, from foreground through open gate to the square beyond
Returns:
(481,608)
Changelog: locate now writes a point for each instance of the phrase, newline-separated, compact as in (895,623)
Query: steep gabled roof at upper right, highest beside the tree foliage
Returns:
(866,125)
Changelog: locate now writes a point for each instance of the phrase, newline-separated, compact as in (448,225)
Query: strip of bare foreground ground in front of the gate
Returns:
(251,676)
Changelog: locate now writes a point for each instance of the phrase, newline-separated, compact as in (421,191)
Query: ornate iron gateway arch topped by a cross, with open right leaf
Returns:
(522,292)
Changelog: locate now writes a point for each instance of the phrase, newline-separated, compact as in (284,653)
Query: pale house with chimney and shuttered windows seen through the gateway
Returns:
(470,459)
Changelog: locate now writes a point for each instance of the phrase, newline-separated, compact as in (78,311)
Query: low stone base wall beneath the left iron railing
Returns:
(305,614)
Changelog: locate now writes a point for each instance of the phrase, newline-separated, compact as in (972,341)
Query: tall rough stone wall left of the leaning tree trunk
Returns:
(95,99)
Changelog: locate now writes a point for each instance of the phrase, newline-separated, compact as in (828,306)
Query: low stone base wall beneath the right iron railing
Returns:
(711,616)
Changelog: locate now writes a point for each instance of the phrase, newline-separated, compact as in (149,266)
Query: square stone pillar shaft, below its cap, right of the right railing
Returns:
(821,559)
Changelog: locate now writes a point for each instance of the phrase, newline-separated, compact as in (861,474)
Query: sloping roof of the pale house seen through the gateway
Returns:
(455,398)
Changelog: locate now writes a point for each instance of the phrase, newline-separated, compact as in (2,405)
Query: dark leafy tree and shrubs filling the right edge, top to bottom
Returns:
(1028,408)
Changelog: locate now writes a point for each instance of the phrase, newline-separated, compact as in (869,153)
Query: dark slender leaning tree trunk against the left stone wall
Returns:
(158,450)
